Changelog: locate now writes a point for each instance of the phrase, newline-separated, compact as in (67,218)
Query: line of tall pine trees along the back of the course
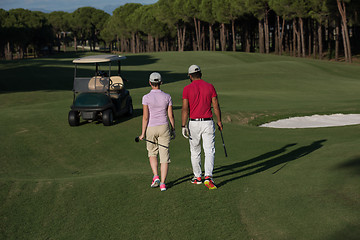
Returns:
(302,28)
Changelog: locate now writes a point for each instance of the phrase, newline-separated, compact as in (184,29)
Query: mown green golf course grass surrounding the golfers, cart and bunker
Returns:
(93,182)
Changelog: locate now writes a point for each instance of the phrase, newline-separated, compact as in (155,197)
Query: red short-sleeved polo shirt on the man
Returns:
(200,94)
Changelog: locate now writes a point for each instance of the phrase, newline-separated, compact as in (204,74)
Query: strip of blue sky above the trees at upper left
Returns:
(67,5)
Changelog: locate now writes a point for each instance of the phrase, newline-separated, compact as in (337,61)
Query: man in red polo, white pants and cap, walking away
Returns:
(198,97)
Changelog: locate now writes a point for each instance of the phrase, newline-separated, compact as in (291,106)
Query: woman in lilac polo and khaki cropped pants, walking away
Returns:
(157,109)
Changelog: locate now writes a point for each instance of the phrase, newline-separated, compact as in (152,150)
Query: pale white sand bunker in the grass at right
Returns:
(316,121)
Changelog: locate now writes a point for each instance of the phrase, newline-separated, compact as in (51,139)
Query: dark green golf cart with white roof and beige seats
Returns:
(100,96)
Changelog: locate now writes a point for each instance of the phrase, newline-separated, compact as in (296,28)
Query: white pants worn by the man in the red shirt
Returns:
(204,130)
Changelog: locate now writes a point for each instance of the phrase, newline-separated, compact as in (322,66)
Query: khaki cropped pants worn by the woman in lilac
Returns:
(159,134)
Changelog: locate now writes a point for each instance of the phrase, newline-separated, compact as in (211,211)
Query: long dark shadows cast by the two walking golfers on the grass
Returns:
(258,164)
